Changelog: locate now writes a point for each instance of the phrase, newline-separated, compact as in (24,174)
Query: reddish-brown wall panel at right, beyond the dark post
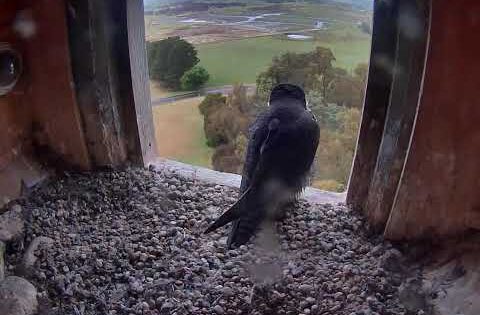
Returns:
(439,190)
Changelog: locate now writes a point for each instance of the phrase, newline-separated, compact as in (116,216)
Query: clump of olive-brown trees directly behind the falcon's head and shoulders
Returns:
(334,95)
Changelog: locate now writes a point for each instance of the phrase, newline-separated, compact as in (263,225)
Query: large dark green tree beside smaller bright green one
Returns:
(169,59)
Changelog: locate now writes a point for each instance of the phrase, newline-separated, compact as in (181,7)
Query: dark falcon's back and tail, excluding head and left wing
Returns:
(287,166)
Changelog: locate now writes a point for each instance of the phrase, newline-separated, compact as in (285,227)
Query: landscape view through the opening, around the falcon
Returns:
(213,63)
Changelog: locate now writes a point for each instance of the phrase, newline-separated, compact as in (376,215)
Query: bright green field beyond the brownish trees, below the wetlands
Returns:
(240,61)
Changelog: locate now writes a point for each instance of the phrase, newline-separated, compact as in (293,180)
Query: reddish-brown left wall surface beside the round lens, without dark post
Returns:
(39,117)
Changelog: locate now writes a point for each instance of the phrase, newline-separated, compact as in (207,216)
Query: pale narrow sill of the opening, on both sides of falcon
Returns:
(312,195)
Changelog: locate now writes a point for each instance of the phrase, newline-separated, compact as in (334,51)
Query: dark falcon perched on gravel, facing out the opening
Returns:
(282,146)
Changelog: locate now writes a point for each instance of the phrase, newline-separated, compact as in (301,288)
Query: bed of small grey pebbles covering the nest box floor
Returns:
(131,242)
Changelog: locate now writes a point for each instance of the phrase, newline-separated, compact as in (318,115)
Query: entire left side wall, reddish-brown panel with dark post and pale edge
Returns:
(83,99)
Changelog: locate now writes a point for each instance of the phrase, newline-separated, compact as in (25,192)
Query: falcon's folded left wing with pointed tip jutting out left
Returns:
(238,211)
